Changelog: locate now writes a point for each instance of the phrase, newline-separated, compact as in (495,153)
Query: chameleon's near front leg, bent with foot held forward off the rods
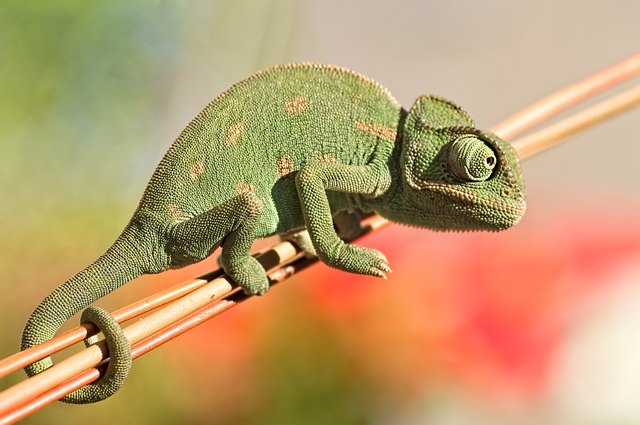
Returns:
(312,181)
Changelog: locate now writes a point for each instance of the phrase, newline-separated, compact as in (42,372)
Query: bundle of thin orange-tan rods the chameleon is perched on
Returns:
(191,303)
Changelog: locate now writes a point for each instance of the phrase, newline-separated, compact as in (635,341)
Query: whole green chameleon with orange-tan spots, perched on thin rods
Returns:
(278,153)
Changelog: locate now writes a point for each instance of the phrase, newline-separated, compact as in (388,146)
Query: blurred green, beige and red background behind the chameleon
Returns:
(538,324)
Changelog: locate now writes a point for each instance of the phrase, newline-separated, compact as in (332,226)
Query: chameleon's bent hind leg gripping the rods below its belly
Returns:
(233,225)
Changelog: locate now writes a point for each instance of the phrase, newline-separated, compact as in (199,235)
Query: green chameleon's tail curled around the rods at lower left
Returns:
(118,265)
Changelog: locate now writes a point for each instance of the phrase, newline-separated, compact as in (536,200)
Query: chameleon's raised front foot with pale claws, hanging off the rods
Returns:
(360,259)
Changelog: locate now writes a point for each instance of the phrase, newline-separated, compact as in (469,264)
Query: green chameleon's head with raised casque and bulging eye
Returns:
(455,176)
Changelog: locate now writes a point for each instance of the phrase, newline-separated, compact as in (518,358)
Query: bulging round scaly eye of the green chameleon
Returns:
(471,159)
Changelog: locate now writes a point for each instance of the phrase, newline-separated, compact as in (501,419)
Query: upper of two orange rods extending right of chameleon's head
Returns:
(568,96)
